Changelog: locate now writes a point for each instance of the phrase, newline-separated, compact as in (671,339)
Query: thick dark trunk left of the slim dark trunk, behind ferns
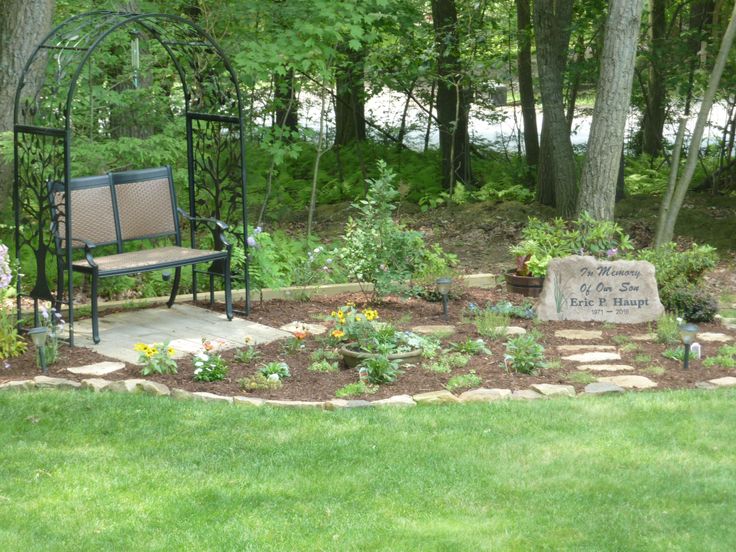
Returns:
(453,99)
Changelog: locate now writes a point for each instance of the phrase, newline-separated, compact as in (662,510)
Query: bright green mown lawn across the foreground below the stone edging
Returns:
(655,471)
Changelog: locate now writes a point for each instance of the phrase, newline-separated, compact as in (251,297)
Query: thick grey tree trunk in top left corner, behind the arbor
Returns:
(23,23)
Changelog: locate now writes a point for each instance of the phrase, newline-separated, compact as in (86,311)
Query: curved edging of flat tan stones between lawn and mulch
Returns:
(143,386)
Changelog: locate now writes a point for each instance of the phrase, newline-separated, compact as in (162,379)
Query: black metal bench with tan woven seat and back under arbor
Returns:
(118,208)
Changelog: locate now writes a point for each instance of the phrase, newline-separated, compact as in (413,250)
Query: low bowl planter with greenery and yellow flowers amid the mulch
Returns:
(362,336)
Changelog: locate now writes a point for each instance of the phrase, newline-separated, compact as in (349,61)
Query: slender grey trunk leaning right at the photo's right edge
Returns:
(669,212)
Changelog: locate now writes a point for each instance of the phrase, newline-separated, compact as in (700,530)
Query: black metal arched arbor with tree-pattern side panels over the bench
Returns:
(43,132)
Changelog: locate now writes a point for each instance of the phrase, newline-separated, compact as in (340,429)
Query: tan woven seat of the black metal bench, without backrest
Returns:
(149,259)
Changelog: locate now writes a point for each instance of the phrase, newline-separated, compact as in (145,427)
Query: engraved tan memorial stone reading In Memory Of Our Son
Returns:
(585,288)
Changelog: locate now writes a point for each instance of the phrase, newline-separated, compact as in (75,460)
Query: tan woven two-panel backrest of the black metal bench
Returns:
(118,207)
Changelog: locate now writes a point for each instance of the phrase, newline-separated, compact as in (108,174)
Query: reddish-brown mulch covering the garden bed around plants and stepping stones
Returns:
(404,313)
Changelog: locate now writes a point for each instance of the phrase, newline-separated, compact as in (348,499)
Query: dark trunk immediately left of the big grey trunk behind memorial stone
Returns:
(552,19)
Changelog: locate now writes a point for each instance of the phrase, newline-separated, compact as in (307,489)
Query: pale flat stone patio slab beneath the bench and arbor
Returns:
(183,325)
